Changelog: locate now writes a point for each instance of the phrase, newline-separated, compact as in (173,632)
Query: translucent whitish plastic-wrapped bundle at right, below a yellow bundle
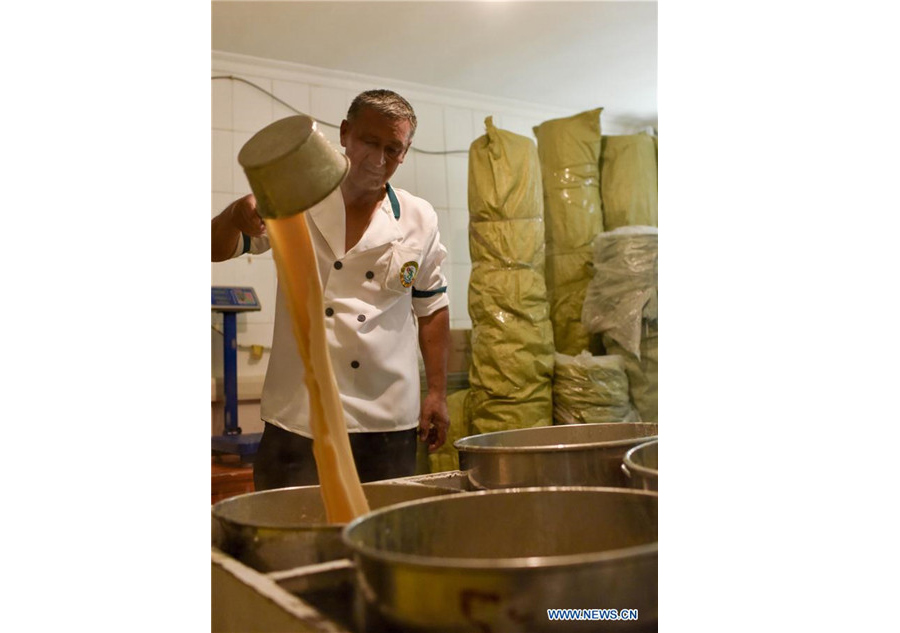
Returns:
(623,291)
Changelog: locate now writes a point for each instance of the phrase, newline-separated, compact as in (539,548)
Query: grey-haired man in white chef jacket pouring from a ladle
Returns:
(379,255)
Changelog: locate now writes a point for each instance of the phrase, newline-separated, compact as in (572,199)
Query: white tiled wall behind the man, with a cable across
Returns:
(446,122)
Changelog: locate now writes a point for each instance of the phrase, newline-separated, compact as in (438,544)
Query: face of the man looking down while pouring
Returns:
(376,147)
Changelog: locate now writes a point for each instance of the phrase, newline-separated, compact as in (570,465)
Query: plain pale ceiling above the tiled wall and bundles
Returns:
(571,55)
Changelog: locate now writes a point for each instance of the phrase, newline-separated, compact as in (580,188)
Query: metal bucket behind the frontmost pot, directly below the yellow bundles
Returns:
(568,455)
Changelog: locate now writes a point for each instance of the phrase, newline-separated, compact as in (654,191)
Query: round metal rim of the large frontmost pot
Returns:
(490,564)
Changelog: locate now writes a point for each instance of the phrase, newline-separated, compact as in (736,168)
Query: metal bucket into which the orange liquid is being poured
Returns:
(279,529)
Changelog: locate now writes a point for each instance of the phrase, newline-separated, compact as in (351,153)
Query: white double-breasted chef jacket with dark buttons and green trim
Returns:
(373,295)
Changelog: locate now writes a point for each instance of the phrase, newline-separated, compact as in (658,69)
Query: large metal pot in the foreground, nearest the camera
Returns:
(497,561)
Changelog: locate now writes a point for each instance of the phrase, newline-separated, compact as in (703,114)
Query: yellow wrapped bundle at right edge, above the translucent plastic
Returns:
(628,181)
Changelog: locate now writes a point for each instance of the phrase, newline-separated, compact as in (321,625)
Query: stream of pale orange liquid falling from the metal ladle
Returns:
(298,274)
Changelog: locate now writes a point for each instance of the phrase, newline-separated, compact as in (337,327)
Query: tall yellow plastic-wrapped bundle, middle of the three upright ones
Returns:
(569,150)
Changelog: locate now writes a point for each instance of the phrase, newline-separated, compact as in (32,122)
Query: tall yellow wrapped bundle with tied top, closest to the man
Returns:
(512,339)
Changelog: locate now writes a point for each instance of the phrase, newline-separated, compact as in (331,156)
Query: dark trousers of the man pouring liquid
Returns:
(285,459)
